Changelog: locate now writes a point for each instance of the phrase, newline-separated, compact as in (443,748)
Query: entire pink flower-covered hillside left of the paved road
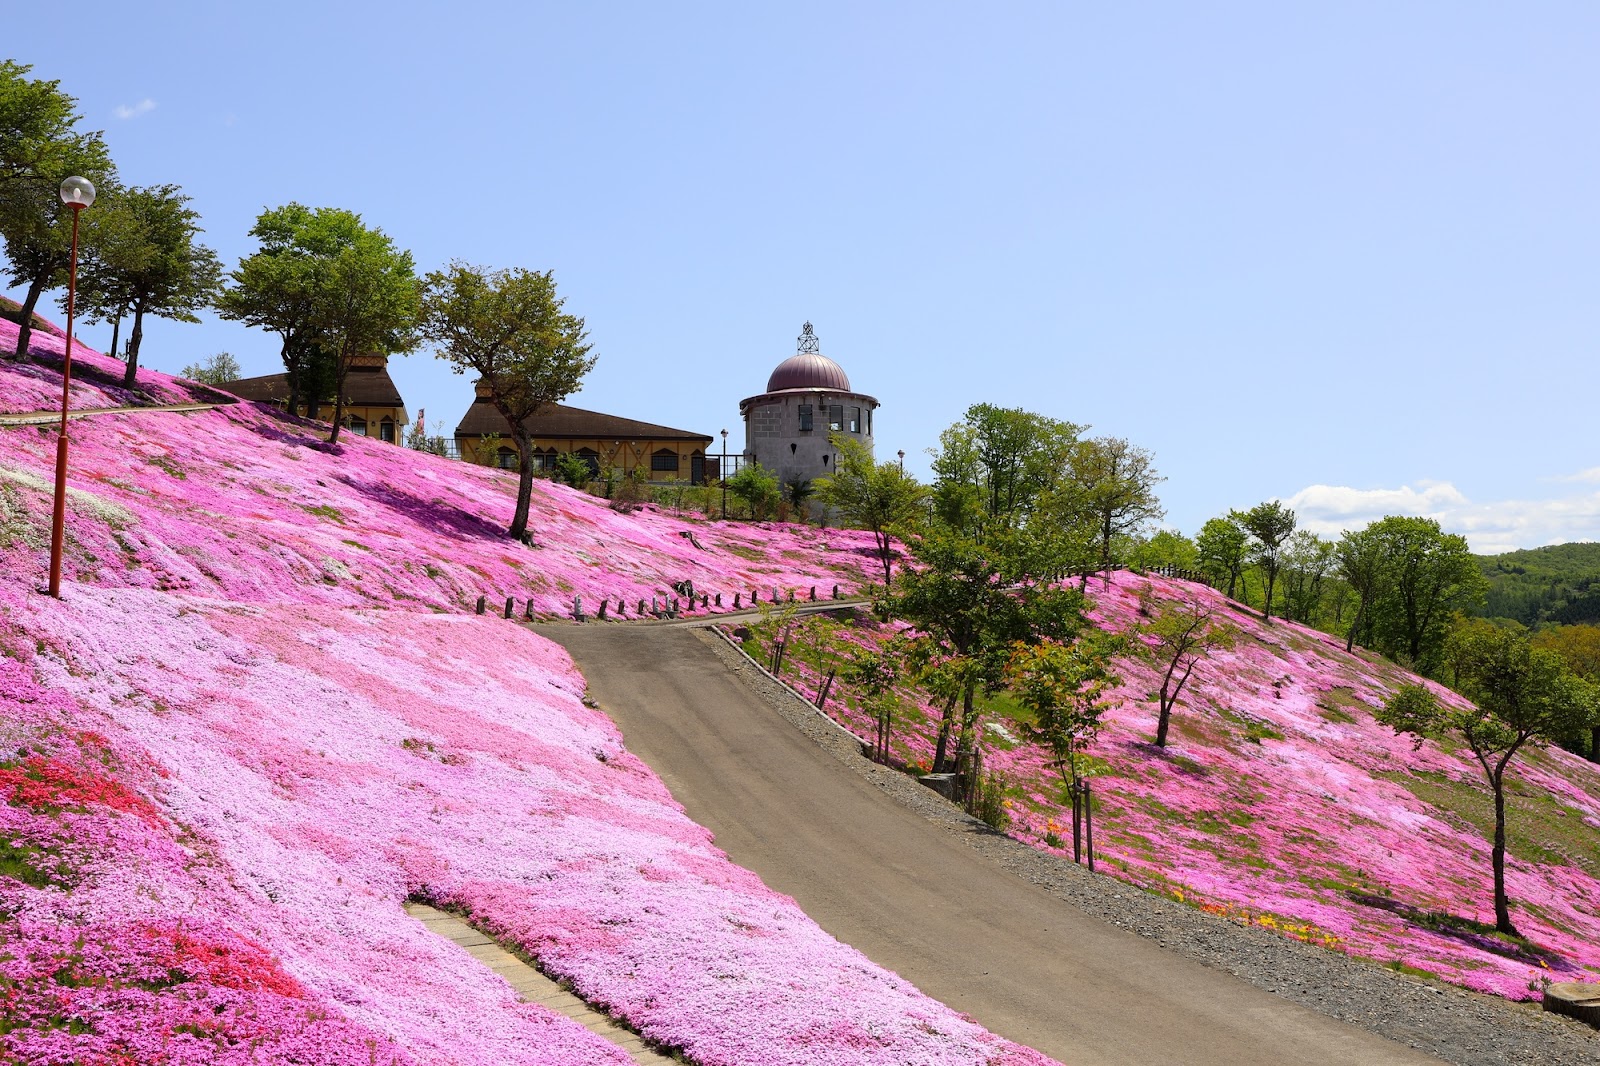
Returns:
(226,763)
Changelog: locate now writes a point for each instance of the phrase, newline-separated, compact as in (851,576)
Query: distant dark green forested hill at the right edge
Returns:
(1545,585)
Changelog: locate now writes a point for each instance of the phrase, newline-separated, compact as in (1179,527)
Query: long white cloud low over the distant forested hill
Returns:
(1489,527)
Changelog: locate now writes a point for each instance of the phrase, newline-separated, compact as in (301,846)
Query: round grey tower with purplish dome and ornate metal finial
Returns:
(807,401)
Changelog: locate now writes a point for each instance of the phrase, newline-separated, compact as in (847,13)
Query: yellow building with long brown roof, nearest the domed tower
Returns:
(602,441)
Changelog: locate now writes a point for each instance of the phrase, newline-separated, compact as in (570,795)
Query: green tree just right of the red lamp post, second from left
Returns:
(142,255)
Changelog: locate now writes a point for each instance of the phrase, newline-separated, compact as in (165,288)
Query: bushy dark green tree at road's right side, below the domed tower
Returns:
(974,599)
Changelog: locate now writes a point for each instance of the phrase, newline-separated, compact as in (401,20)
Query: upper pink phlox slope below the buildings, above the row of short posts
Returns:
(246,503)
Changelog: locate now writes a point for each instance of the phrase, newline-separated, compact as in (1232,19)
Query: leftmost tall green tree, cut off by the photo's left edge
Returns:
(39,148)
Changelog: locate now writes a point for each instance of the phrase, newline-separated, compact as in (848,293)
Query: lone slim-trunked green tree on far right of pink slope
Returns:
(1519,694)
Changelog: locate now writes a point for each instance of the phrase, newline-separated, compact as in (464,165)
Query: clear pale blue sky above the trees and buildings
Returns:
(1348,258)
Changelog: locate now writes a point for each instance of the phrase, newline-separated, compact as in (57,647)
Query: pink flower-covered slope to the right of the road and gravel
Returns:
(1282,803)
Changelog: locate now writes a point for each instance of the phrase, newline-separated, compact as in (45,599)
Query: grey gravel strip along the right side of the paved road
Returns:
(1438,1019)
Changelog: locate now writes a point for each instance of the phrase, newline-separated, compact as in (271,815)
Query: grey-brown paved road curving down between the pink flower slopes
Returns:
(914,899)
